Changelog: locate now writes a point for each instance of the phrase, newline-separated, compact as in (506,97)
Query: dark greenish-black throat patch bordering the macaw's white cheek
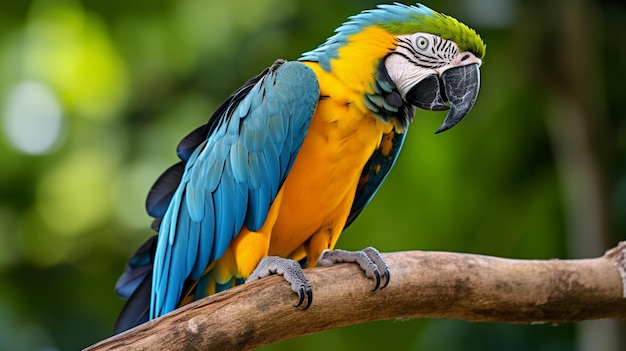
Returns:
(386,102)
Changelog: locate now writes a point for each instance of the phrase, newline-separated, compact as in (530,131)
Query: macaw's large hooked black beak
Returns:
(458,86)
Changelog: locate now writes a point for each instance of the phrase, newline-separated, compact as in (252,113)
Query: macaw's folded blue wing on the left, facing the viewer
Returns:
(233,168)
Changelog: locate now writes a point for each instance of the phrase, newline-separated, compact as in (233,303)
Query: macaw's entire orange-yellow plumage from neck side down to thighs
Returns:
(314,202)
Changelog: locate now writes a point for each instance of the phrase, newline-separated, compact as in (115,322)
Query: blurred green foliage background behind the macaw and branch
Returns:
(130,78)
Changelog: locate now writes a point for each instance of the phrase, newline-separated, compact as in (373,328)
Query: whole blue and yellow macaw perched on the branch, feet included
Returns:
(290,159)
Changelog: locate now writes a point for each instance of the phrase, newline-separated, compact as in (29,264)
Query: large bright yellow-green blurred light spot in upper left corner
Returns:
(70,49)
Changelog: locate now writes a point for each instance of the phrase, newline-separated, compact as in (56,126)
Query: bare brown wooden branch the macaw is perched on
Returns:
(423,284)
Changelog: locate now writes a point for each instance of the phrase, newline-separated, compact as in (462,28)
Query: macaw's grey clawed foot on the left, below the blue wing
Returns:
(291,271)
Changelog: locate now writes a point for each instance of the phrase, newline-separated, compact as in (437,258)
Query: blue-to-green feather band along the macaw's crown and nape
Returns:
(399,19)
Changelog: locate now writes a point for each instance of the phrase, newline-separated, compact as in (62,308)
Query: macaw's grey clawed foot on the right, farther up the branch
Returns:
(368,259)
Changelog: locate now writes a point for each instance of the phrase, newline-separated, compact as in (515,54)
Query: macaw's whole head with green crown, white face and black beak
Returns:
(411,53)
